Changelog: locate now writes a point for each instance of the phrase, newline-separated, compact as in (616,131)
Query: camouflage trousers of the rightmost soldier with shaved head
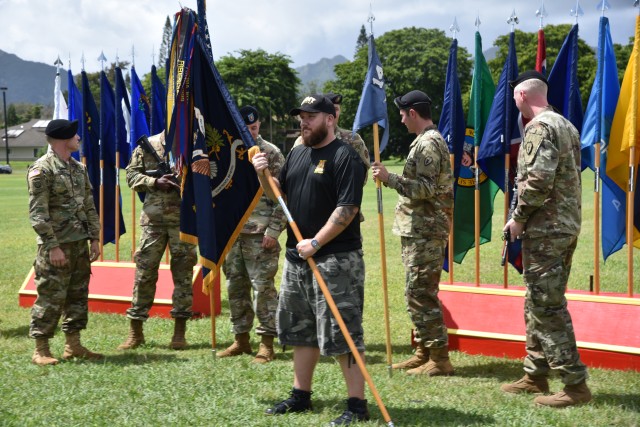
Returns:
(551,342)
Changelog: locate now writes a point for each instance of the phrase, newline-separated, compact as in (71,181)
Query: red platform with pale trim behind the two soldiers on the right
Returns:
(489,320)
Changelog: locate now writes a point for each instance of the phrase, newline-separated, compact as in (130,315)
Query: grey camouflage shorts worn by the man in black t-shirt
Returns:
(304,318)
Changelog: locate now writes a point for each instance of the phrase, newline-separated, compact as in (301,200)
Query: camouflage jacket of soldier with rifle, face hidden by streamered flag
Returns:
(161,208)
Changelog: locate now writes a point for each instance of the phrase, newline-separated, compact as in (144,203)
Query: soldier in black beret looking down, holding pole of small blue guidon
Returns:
(422,221)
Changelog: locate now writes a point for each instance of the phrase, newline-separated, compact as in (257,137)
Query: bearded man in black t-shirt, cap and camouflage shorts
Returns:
(322,181)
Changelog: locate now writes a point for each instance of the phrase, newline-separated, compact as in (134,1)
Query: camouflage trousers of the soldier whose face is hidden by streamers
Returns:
(153,243)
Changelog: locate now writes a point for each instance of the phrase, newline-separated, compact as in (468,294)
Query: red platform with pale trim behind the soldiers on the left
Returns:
(112,283)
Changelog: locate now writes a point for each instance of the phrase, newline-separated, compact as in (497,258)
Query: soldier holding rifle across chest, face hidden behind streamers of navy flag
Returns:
(160,220)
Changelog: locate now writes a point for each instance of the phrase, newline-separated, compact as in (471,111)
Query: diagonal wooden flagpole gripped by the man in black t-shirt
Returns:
(325,291)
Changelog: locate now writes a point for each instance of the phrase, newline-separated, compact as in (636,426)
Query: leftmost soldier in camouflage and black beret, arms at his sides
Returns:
(62,213)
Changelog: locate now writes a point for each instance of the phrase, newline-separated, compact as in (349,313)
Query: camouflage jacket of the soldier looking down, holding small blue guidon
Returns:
(425,187)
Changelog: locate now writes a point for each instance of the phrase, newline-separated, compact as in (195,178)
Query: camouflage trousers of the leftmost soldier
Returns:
(62,291)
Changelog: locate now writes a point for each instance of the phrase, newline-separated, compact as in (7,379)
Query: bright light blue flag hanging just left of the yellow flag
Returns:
(597,128)
